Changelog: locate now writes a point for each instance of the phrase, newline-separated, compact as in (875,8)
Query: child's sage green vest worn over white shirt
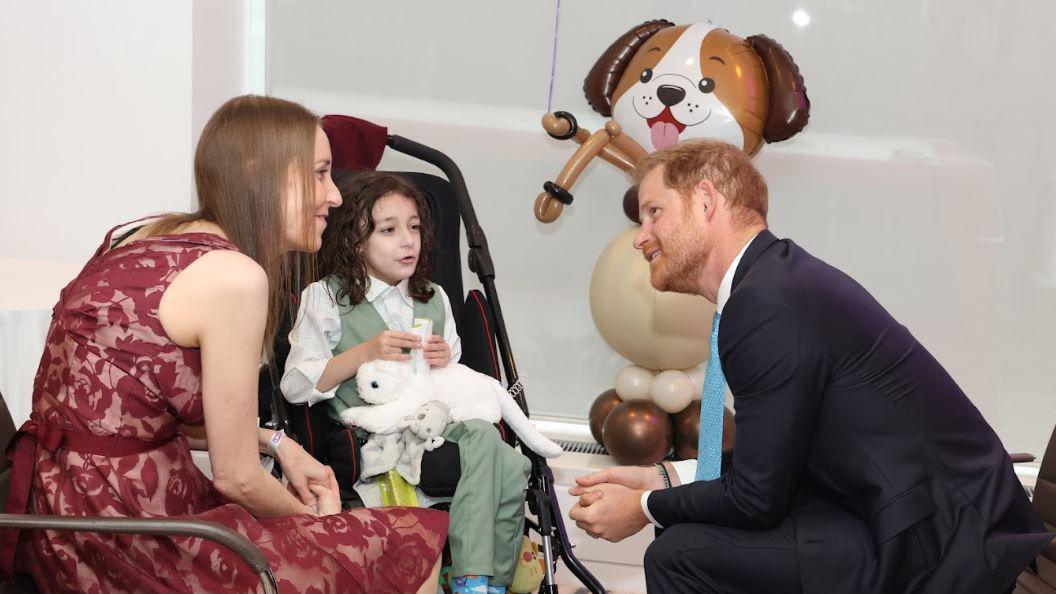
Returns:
(361,323)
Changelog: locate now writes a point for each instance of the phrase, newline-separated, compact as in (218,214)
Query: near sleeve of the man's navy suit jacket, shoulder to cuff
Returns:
(778,369)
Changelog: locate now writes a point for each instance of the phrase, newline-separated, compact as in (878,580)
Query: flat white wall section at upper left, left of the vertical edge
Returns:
(96,120)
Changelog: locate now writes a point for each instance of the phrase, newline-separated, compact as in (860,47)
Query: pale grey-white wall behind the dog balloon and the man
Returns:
(928,172)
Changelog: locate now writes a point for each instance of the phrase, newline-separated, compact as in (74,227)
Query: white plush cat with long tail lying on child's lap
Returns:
(395,392)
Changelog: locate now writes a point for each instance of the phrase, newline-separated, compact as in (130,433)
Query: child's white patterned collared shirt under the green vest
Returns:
(318,330)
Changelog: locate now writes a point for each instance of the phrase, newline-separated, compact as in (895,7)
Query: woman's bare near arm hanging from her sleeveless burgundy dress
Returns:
(220,305)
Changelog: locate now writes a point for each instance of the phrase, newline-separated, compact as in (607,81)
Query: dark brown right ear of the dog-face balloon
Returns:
(789,105)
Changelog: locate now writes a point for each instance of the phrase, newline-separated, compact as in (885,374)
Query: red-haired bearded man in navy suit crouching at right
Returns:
(860,467)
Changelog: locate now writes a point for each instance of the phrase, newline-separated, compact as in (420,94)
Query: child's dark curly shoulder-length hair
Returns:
(352,224)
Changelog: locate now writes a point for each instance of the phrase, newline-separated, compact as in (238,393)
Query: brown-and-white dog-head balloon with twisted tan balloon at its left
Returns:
(662,84)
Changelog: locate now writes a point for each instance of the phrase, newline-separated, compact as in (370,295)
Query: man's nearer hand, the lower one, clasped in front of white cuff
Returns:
(610,511)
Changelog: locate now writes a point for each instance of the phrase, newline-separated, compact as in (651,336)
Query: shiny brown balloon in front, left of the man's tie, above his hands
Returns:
(637,433)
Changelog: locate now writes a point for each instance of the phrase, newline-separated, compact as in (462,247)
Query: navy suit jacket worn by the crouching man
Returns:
(847,424)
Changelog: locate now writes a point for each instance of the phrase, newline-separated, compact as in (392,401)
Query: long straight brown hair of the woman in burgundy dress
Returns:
(246,158)
